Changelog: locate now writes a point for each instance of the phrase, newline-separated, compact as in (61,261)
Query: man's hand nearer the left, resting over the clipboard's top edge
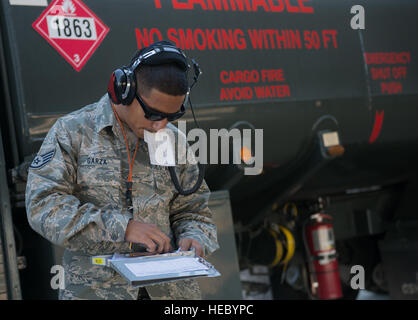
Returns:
(148,235)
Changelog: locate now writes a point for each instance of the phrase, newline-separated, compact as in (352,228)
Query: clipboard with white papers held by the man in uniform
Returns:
(154,269)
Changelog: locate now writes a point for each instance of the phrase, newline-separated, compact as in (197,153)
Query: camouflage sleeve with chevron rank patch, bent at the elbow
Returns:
(54,212)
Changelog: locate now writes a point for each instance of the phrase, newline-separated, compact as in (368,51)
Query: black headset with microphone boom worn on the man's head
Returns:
(122,87)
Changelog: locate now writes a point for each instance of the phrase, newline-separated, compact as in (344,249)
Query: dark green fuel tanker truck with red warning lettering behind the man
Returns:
(320,196)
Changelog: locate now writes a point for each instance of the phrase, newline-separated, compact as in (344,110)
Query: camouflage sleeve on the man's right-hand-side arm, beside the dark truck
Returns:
(190,216)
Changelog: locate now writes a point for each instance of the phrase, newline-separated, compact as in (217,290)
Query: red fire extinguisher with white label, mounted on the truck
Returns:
(322,256)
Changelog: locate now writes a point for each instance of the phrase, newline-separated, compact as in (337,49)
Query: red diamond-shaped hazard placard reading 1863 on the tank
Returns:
(72,29)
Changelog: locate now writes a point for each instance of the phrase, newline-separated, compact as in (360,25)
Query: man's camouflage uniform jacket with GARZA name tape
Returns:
(75,197)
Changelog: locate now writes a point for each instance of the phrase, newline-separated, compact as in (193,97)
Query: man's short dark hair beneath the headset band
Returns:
(167,78)
